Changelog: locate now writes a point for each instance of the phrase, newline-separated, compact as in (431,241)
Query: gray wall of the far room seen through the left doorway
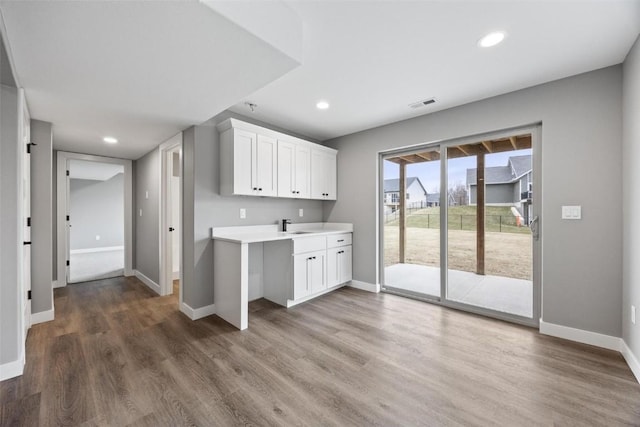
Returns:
(96,208)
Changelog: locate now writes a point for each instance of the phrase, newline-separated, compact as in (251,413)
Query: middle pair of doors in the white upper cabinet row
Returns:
(294,170)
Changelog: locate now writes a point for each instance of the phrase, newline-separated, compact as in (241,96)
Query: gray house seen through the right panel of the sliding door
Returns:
(509,185)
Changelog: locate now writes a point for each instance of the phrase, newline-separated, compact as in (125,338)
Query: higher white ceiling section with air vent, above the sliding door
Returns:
(371,59)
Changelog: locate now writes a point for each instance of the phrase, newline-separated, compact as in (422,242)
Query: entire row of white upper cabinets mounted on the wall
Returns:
(256,161)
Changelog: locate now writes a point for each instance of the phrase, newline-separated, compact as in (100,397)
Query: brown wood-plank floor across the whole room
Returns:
(116,354)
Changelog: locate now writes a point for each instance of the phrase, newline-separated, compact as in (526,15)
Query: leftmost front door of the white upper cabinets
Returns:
(244,153)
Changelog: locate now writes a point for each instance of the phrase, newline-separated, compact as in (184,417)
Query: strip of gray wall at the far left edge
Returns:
(10,226)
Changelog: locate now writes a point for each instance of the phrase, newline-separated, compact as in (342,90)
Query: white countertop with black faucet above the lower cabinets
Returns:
(267,233)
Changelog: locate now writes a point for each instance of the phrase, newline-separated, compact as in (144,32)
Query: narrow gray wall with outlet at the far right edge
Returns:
(631,198)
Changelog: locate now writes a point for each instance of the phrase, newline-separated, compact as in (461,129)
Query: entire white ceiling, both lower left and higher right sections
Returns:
(143,71)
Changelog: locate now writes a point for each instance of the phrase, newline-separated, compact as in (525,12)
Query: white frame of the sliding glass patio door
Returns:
(535,129)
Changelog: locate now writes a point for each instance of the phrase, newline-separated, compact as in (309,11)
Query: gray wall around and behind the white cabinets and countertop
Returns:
(205,208)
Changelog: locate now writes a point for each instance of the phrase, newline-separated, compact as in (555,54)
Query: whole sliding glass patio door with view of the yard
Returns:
(471,240)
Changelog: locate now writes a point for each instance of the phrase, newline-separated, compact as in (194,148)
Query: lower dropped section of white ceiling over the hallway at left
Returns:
(140,71)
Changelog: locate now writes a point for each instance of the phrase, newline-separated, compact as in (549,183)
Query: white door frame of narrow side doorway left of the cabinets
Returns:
(166,250)
